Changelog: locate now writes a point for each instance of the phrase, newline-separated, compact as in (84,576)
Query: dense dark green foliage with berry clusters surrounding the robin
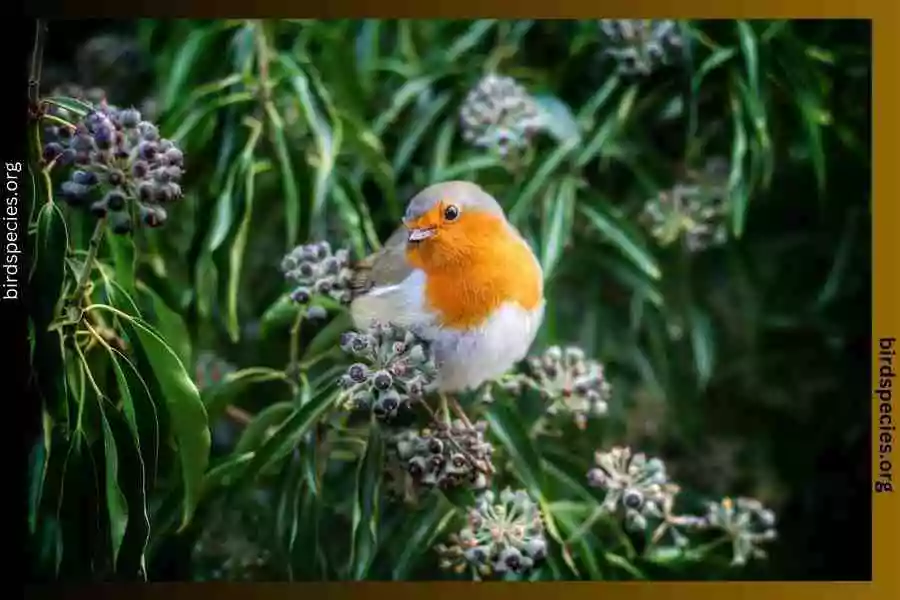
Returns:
(697,193)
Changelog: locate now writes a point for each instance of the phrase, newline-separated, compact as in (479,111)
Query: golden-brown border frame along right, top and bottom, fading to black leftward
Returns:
(886,99)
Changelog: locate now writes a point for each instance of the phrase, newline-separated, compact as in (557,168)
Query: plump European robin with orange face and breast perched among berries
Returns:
(461,277)
